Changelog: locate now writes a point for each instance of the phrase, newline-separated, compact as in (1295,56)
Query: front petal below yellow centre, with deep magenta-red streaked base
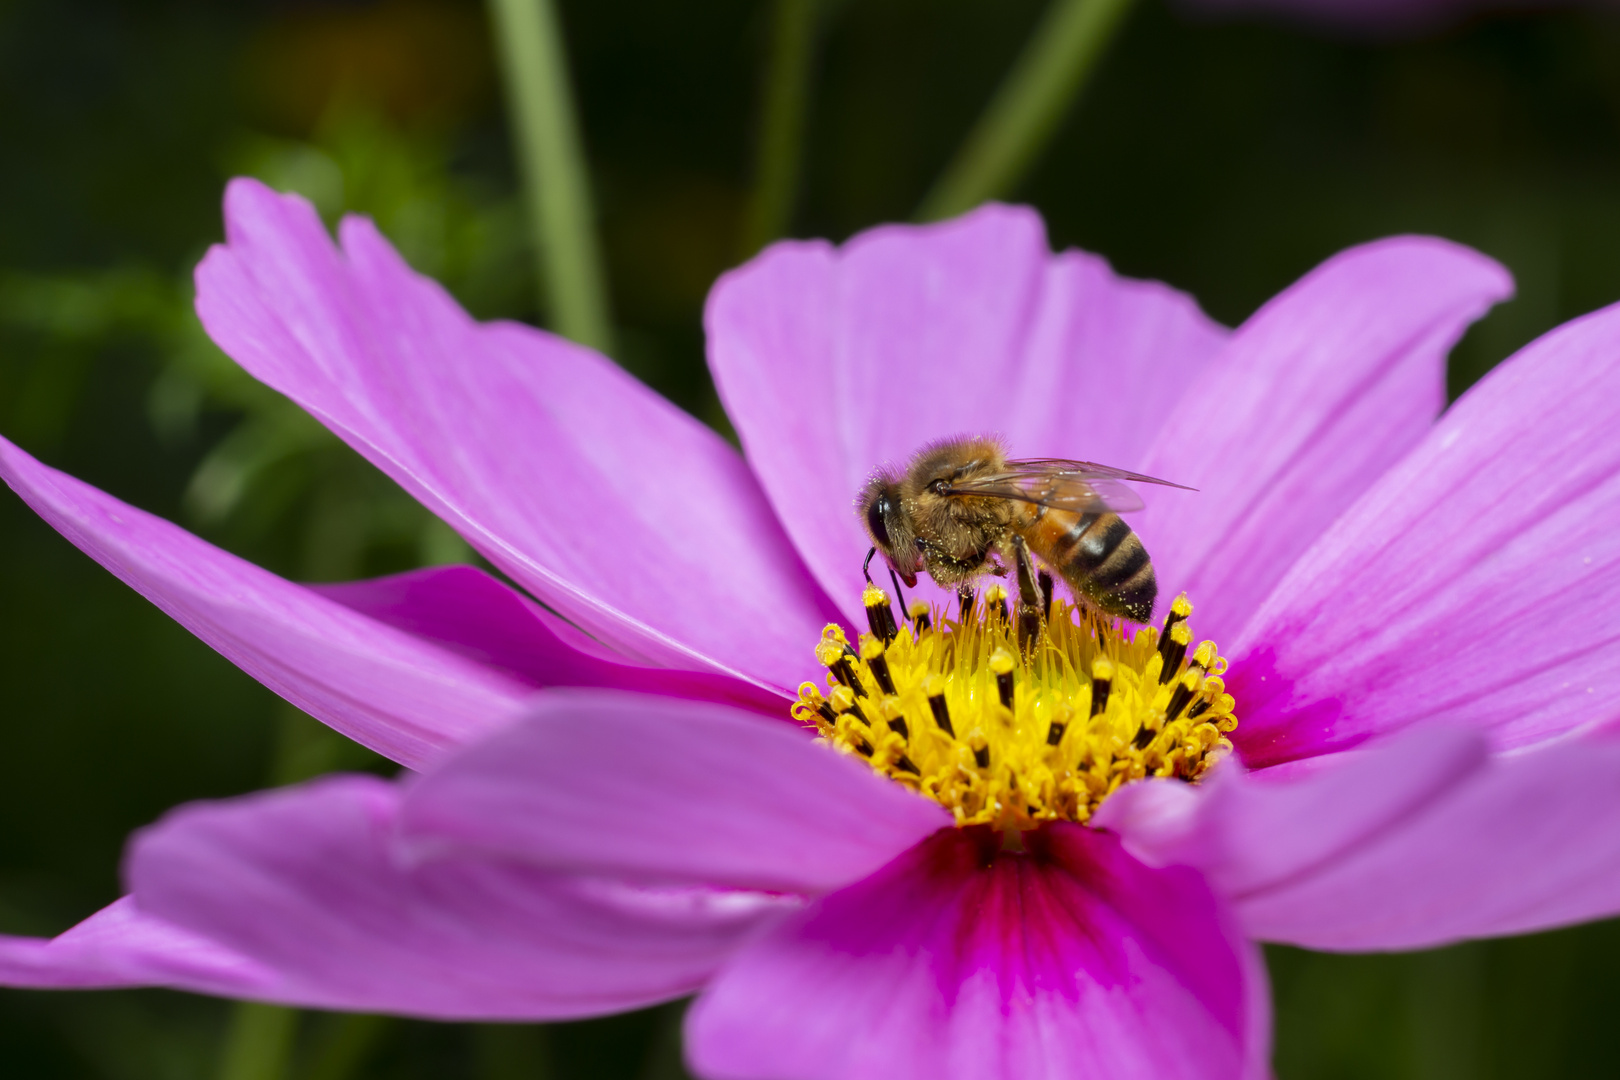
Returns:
(953,961)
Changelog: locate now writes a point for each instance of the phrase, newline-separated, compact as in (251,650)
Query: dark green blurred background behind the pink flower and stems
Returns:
(1226,159)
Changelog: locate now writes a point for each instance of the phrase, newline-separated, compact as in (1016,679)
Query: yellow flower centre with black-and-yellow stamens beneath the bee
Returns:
(1012,726)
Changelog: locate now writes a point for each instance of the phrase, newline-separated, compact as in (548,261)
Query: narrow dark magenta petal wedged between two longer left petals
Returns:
(472,614)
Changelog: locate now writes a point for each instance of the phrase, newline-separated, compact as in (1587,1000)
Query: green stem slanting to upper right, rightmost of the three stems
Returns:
(1028,108)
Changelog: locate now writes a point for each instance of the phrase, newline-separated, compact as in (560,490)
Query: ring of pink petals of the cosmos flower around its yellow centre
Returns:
(608,809)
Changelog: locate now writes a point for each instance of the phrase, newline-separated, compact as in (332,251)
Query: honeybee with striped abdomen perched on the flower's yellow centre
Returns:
(961,509)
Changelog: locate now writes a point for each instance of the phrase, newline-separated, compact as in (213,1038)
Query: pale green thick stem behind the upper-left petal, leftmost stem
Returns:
(552,163)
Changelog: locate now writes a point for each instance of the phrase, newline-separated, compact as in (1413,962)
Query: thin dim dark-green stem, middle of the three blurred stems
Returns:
(783,111)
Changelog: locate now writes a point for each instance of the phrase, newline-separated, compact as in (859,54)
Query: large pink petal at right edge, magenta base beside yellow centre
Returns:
(1478,584)
